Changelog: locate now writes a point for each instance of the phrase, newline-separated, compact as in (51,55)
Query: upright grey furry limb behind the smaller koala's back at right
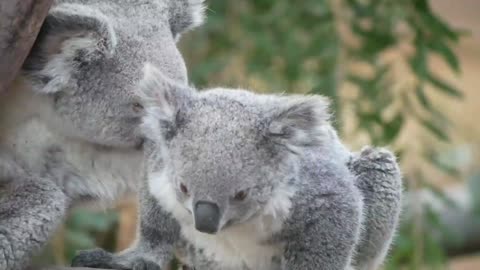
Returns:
(378,177)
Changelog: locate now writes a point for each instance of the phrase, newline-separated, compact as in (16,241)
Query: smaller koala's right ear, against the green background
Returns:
(299,121)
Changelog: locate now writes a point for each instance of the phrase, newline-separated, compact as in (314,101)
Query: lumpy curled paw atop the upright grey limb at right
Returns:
(374,158)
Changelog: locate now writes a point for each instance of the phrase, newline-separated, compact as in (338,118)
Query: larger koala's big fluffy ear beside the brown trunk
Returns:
(71,36)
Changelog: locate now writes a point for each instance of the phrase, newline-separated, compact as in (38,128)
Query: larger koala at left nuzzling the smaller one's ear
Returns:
(69,127)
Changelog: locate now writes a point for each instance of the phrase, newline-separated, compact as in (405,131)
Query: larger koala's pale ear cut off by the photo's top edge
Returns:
(186,15)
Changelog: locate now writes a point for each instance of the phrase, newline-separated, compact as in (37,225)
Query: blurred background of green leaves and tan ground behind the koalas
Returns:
(401,74)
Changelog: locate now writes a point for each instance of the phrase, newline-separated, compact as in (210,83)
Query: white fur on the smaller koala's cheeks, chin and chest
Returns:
(238,247)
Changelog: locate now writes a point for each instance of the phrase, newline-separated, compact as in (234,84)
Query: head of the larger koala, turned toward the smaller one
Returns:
(88,61)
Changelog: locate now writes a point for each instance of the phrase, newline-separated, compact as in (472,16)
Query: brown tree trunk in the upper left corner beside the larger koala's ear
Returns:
(20,21)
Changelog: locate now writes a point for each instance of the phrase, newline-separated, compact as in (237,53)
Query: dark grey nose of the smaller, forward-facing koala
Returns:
(207,217)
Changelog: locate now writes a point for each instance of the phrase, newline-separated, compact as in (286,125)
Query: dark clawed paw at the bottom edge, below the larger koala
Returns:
(93,258)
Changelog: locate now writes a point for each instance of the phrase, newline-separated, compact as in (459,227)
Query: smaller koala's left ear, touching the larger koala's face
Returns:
(162,98)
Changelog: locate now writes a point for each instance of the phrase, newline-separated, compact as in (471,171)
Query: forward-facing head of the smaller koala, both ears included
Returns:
(225,152)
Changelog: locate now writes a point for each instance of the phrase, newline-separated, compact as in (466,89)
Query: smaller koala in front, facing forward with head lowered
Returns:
(240,181)
